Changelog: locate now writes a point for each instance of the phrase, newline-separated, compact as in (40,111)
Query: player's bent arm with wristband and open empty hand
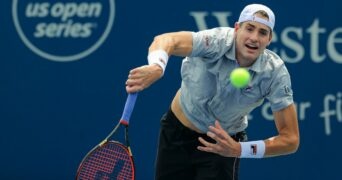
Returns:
(286,142)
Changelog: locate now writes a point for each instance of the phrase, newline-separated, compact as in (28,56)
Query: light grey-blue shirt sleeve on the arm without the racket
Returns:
(280,93)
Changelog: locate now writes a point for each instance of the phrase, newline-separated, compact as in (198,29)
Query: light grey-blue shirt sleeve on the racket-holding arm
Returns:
(212,44)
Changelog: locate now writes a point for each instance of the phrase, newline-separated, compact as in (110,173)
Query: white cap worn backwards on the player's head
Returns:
(248,14)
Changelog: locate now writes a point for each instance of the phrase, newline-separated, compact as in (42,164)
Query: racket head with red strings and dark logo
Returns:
(110,160)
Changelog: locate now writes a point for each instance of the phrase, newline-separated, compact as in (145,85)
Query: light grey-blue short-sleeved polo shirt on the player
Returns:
(207,94)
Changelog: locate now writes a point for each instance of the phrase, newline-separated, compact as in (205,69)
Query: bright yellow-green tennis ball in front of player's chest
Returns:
(240,77)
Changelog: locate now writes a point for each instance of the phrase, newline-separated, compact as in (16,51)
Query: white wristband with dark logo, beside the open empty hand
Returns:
(253,149)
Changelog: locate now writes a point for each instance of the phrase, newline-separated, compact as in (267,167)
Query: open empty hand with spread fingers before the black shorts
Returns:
(224,146)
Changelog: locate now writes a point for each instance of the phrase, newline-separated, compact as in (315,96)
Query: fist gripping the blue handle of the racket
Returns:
(142,77)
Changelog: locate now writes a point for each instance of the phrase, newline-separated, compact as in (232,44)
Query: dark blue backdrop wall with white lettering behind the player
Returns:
(62,81)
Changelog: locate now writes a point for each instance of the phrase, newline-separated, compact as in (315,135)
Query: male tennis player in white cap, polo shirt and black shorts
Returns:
(202,136)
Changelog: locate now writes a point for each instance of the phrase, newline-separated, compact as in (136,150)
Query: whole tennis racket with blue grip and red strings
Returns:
(111,159)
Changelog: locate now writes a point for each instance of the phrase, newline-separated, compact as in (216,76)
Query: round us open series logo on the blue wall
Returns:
(65,30)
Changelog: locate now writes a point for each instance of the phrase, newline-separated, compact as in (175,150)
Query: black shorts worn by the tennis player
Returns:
(178,157)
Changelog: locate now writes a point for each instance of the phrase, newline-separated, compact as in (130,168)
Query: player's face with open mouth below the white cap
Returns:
(251,40)
